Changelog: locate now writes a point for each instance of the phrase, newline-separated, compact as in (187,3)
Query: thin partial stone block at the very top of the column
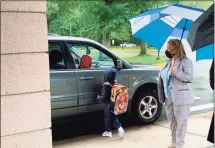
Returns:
(23,6)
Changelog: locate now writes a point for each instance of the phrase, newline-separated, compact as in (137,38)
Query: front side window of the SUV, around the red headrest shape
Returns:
(99,59)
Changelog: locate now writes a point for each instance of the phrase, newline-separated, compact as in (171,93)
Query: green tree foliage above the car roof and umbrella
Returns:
(100,21)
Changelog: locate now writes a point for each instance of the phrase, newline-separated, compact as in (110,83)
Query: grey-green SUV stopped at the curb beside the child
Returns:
(74,91)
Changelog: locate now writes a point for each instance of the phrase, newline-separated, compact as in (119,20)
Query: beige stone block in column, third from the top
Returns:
(23,73)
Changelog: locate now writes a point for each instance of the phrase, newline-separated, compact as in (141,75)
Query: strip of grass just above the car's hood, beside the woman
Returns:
(147,59)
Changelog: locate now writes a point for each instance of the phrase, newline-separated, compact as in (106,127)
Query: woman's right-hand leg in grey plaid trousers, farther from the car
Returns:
(181,114)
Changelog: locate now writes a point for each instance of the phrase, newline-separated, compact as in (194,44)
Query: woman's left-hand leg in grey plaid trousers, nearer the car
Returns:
(171,118)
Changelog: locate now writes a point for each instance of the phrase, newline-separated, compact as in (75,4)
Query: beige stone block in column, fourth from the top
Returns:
(24,113)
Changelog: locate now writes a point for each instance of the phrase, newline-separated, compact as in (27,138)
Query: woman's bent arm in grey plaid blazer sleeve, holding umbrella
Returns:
(186,74)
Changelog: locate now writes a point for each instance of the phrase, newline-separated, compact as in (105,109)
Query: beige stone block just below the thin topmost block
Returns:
(23,32)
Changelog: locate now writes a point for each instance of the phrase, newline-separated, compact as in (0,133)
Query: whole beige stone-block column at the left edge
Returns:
(25,85)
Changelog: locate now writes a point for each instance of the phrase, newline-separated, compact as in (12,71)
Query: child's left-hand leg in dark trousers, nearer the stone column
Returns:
(107,118)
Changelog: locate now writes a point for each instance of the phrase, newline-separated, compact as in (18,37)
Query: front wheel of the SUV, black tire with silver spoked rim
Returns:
(145,112)
